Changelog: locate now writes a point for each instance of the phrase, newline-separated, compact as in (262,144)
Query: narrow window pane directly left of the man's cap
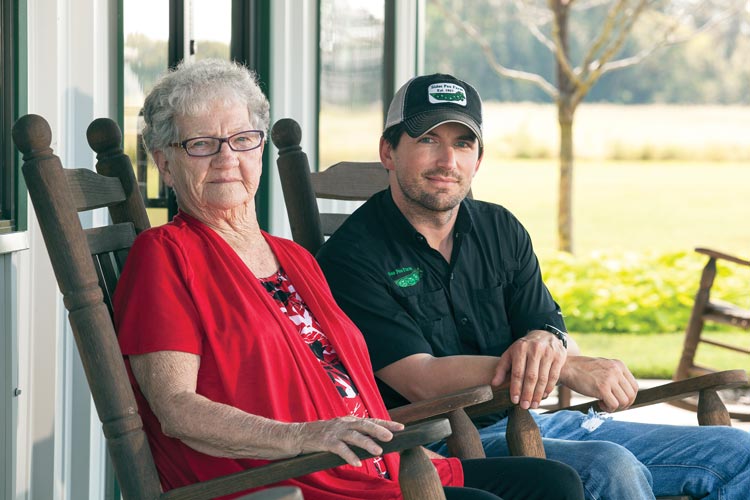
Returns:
(351,80)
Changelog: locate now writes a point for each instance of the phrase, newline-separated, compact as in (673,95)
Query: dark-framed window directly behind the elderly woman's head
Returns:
(158,35)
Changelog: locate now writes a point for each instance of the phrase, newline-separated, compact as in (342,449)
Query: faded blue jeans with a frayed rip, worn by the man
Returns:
(631,461)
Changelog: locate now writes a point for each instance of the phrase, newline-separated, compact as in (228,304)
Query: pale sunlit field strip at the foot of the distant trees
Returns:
(611,131)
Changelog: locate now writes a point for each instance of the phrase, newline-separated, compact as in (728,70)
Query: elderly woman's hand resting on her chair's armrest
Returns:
(337,435)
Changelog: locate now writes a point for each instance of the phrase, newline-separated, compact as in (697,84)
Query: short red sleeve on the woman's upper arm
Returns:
(153,306)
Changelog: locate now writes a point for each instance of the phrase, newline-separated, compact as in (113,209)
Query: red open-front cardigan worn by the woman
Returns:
(185,289)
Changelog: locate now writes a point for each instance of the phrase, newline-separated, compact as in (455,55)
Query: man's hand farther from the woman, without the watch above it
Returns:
(601,378)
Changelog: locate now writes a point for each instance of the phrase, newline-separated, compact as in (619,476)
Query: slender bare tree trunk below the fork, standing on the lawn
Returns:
(565,195)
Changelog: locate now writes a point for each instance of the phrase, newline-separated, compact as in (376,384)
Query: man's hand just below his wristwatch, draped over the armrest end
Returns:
(534,363)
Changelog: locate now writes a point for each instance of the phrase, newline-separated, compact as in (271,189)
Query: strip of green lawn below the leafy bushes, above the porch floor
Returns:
(657,355)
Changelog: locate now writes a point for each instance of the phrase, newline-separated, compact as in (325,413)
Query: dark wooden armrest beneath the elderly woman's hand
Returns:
(411,437)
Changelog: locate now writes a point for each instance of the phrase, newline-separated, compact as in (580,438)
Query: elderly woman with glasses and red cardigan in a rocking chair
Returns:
(238,353)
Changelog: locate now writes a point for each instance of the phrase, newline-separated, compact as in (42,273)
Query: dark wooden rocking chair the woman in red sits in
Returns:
(87,264)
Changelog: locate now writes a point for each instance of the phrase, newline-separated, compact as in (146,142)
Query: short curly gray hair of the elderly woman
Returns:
(190,89)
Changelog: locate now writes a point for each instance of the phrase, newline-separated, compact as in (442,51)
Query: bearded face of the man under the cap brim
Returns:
(432,172)
